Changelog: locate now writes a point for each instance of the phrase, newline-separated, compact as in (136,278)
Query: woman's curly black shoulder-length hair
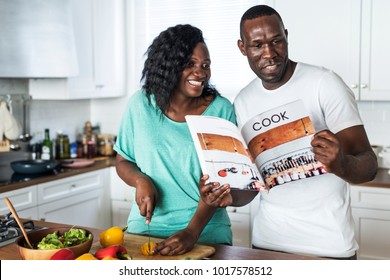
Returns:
(167,57)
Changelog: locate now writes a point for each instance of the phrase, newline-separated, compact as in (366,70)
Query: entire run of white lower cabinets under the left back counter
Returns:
(82,200)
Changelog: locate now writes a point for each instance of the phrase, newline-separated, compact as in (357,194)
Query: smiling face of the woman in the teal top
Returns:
(196,74)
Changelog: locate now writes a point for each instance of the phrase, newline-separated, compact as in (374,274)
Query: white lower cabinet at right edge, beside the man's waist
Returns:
(371,212)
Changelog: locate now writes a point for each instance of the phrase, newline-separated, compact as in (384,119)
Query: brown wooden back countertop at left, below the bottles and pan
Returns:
(100,162)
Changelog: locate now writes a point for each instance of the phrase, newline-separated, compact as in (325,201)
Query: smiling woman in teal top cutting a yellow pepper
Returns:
(156,154)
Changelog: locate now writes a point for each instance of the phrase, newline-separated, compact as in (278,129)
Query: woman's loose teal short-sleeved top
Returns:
(163,149)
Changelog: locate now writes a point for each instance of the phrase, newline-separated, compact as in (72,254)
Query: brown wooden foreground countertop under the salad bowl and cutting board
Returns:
(222,252)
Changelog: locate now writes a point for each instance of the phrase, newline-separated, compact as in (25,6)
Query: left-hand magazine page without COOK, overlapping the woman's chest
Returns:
(222,152)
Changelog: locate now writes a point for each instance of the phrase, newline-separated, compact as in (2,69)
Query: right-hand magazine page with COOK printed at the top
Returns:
(279,141)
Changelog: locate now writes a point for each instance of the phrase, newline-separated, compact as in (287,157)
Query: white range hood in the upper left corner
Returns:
(36,39)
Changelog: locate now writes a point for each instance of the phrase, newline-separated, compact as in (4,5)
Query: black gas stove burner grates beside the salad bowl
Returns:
(10,231)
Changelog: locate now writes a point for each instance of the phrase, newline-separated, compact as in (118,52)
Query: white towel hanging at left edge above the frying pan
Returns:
(9,126)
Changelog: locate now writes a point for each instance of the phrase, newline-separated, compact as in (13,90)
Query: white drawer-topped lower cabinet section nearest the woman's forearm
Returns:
(80,200)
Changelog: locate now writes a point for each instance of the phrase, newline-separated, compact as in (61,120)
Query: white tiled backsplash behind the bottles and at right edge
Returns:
(71,115)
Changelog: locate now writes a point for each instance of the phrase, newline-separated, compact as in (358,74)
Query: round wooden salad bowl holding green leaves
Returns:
(36,236)
